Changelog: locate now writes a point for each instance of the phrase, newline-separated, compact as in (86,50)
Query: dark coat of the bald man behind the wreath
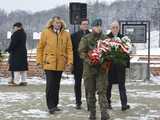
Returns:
(117,71)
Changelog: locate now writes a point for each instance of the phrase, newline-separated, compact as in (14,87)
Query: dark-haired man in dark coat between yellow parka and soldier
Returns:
(77,61)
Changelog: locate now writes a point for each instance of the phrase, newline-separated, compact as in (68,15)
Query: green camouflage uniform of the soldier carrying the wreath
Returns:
(94,76)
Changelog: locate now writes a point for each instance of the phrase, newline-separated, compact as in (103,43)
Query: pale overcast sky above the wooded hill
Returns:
(37,5)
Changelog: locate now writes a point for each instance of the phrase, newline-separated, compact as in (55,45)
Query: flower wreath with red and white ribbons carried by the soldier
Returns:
(111,49)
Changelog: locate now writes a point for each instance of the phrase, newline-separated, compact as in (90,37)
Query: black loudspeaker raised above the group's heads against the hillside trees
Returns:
(77,11)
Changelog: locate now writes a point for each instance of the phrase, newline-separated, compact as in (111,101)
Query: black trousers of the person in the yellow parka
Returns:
(52,87)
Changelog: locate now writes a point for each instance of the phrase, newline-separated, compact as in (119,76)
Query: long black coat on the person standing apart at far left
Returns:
(18,52)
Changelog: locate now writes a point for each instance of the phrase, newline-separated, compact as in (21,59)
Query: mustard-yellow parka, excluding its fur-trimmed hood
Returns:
(54,51)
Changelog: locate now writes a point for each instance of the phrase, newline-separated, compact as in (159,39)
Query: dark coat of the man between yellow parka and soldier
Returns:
(77,61)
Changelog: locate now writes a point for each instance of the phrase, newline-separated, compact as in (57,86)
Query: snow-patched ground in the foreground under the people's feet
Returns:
(28,103)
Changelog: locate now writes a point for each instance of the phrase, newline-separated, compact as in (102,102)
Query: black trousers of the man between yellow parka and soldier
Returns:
(77,87)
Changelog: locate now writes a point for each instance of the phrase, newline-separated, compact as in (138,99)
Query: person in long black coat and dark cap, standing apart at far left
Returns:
(18,54)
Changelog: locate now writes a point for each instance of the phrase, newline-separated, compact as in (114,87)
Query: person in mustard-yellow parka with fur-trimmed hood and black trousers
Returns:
(55,55)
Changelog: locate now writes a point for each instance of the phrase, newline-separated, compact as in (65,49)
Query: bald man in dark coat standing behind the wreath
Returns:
(117,73)
